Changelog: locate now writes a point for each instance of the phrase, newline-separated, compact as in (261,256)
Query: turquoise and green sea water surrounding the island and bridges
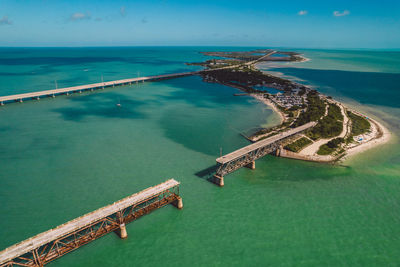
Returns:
(63,157)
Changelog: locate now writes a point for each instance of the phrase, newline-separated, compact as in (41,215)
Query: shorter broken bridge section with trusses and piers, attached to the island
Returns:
(247,155)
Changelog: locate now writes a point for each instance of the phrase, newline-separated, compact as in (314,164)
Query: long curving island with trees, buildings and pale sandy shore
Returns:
(339,131)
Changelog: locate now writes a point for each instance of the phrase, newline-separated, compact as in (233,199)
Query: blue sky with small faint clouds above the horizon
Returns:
(300,24)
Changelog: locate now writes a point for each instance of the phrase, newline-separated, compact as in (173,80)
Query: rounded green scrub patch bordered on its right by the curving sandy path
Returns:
(329,126)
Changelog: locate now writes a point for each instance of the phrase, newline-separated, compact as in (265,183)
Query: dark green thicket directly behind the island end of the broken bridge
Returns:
(315,110)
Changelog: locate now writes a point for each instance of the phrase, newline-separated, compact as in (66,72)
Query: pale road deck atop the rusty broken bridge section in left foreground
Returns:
(80,222)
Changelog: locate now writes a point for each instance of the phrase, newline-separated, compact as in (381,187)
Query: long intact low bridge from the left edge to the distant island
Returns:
(74,89)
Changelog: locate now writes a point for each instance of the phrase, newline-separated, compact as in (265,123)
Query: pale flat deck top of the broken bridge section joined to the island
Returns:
(245,150)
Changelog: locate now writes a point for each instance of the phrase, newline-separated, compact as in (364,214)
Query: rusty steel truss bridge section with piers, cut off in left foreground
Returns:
(56,242)
